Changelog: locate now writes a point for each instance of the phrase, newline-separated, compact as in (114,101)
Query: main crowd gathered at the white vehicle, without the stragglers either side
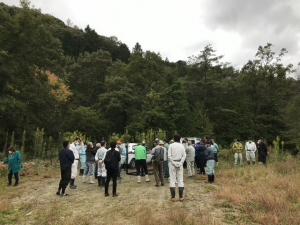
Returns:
(167,159)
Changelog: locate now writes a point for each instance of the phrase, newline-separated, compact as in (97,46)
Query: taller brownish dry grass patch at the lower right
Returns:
(267,195)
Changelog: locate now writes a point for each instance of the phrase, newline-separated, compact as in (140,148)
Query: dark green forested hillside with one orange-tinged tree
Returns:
(62,78)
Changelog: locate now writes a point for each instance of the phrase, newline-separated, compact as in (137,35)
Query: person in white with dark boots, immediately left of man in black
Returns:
(99,157)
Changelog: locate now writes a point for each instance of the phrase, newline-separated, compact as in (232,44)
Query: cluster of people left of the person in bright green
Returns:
(99,162)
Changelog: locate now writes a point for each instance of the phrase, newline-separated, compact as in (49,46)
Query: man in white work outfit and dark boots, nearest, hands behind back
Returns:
(176,156)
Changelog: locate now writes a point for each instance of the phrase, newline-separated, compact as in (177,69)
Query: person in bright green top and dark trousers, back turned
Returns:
(140,162)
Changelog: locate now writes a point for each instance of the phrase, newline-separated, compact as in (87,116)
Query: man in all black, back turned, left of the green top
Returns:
(111,161)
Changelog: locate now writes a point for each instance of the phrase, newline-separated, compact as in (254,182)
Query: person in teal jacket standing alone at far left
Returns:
(14,162)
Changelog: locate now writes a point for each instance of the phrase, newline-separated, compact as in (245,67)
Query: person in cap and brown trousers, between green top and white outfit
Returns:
(158,162)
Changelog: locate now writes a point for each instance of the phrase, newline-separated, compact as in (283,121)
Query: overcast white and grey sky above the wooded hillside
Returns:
(181,28)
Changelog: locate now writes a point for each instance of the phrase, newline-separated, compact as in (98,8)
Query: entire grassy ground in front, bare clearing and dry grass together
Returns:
(246,195)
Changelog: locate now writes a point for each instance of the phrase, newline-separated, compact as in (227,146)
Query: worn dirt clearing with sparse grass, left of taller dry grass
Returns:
(35,202)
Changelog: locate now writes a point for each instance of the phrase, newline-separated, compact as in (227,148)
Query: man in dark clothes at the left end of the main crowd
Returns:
(66,159)
